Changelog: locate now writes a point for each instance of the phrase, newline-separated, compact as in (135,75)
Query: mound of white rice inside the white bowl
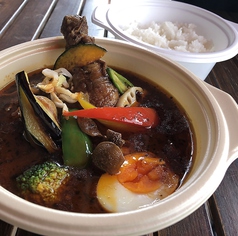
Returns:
(169,35)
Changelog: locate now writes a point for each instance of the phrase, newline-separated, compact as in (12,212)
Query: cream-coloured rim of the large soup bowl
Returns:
(53,222)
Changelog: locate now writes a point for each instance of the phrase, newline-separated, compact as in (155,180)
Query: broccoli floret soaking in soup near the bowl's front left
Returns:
(43,181)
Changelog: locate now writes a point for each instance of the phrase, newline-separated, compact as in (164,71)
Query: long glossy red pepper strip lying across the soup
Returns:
(137,116)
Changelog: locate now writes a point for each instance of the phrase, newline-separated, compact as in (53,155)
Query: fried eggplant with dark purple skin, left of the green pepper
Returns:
(39,115)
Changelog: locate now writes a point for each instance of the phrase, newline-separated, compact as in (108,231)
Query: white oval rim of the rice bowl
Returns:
(217,56)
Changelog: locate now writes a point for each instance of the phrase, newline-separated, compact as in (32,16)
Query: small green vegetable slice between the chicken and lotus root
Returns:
(119,81)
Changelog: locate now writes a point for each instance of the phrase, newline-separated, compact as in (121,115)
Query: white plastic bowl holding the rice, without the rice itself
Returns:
(222,33)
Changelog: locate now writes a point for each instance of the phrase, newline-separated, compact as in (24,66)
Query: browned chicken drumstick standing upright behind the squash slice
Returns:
(92,78)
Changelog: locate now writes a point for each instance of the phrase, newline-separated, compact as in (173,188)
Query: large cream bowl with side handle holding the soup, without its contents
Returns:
(213,115)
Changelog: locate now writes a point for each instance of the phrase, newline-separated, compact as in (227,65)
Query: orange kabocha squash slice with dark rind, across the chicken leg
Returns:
(79,55)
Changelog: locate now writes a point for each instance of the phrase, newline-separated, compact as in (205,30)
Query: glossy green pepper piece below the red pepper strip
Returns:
(76,145)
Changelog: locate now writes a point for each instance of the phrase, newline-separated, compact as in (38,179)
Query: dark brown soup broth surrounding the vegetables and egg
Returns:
(172,140)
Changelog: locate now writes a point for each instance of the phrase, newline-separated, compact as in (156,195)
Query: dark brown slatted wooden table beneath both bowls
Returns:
(24,20)
